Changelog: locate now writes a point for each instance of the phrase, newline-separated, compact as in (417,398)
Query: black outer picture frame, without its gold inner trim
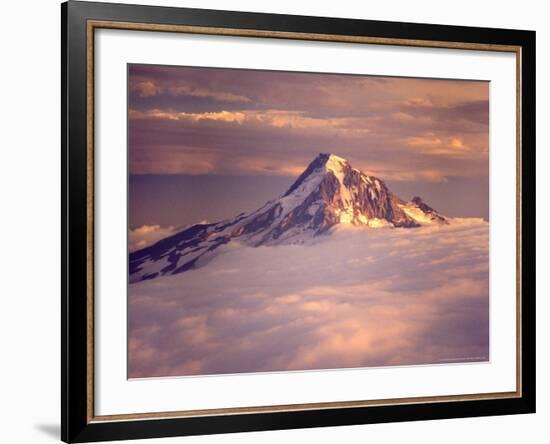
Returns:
(76,423)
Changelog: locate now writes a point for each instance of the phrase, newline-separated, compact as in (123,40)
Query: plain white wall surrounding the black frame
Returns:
(30,208)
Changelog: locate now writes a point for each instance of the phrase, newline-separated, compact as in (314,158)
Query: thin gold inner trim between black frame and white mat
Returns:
(97,24)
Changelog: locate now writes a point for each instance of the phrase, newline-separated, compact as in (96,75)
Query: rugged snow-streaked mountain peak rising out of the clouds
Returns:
(329,192)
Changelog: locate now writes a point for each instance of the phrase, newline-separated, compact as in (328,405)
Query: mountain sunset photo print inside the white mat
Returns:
(287,221)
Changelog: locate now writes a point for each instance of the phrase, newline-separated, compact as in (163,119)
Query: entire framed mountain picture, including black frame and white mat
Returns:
(275,221)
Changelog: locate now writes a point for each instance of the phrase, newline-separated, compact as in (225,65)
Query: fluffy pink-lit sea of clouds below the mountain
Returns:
(358,297)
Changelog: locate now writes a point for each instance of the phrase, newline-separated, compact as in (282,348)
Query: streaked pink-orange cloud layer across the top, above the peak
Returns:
(423,130)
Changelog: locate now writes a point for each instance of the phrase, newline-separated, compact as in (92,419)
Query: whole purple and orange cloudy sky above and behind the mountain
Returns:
(209,143)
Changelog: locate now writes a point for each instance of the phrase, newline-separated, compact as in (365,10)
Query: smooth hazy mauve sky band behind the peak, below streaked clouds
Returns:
(165,199)
